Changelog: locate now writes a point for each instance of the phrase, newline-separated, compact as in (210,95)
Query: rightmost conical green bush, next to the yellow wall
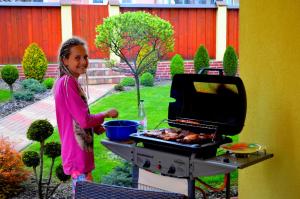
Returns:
(230,61)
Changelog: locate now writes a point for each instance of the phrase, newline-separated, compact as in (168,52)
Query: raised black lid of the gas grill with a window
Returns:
(202,101)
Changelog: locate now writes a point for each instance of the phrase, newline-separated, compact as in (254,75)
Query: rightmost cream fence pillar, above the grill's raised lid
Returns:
(221,29)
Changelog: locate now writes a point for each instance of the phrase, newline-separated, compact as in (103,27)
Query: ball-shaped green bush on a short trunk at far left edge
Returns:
(10,74)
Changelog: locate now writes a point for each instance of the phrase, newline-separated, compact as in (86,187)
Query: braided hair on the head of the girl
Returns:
(65,51)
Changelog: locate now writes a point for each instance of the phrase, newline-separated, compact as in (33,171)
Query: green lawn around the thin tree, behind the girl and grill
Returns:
(156,107)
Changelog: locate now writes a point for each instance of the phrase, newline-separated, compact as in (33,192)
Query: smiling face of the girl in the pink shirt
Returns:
(77,62)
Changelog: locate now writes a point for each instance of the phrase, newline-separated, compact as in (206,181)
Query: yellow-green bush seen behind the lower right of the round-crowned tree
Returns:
(152,58)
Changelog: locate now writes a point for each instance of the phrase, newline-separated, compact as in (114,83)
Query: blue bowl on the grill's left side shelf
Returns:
(119,130)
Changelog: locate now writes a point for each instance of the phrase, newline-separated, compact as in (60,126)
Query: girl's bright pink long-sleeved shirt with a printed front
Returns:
(75,126)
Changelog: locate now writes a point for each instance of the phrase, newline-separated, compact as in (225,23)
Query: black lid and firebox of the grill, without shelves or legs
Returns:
(206,104)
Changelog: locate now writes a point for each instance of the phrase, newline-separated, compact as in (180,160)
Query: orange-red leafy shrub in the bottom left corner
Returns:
(12,171)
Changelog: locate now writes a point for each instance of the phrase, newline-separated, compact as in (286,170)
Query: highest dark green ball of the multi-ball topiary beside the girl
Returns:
(40,130)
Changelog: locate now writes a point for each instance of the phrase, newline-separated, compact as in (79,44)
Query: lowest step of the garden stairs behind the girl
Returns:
(93,80)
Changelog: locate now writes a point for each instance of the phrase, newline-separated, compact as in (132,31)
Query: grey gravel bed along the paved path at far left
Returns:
(15,105)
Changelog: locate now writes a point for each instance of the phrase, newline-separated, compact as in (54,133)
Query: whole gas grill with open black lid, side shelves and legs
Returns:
(204,104)
